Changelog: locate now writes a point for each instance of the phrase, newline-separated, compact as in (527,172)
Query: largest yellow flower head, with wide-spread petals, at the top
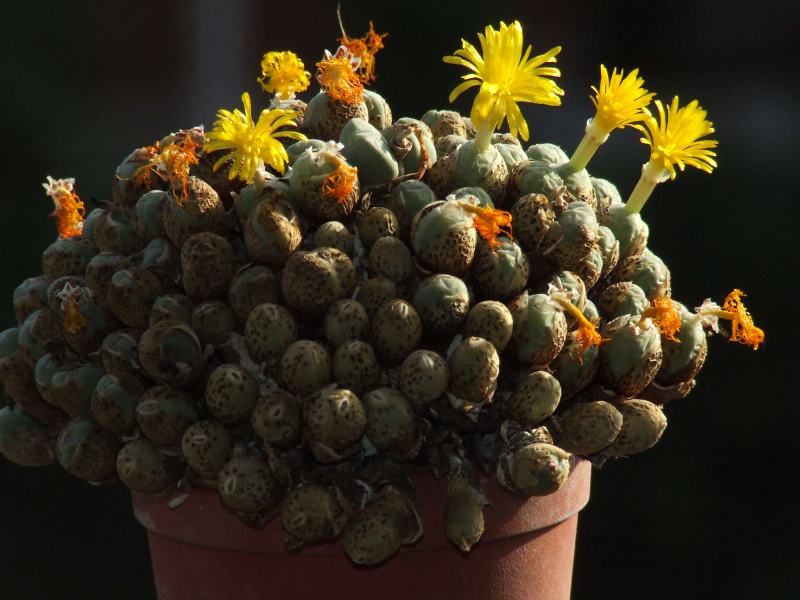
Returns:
(505,76)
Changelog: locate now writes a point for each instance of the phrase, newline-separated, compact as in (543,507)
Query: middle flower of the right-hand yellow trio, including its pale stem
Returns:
(618,102)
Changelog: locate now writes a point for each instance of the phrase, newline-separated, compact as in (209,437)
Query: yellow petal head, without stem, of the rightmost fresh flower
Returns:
(675,138)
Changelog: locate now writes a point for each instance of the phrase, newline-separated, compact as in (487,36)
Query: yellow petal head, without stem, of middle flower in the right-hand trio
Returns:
(619,100)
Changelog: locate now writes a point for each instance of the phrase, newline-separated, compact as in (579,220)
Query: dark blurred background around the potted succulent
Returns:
(711,512)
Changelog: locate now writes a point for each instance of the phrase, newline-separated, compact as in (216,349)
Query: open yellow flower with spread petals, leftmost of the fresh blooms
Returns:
(251,143)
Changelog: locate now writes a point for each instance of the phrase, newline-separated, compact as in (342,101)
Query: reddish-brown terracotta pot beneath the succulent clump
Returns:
(201,551)
